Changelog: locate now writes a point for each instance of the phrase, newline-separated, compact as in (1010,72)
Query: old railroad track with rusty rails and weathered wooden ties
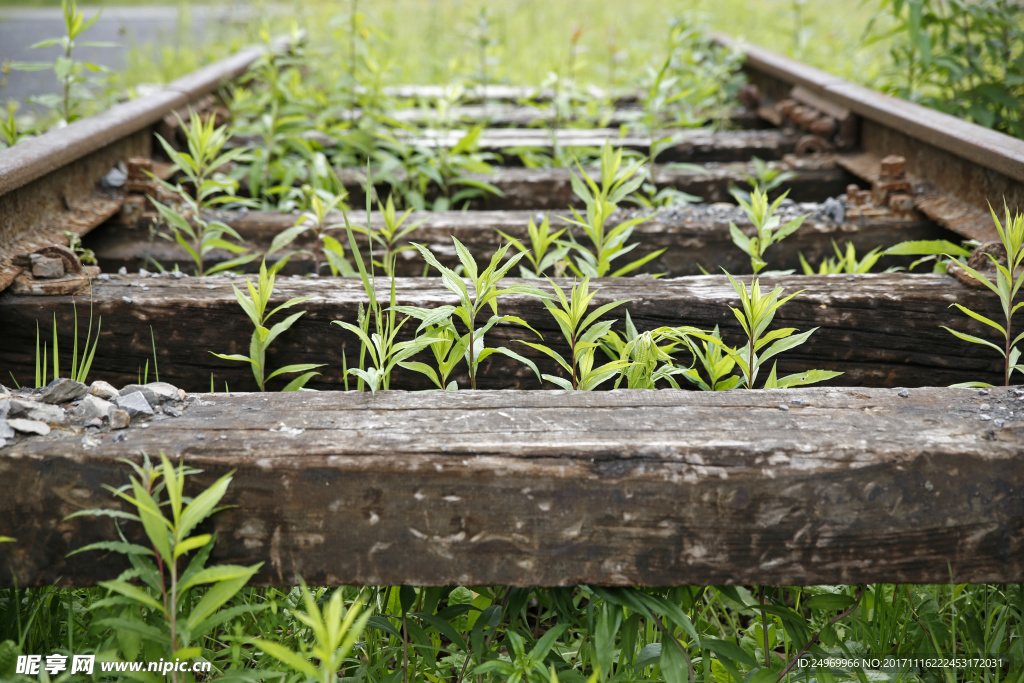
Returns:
(920,484)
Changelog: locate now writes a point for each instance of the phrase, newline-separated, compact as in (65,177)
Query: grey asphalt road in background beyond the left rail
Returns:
(129,27)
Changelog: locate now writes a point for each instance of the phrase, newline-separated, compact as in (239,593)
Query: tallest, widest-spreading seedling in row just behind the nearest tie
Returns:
(487,291)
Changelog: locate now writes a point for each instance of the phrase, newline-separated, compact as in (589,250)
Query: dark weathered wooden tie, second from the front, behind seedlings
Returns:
(880,330)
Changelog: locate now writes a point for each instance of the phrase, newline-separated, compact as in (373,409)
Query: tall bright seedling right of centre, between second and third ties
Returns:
(602,201)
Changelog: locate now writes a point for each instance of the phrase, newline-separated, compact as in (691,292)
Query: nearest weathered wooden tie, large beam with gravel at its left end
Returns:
(556,489)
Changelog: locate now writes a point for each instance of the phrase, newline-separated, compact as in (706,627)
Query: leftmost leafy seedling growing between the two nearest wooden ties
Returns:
(255,307)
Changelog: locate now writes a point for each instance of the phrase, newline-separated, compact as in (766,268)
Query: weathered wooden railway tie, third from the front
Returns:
(694,237)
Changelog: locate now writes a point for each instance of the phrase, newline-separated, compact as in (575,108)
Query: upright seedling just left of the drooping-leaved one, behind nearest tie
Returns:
(582,332)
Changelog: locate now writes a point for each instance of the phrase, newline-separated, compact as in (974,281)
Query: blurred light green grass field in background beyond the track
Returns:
(433,42)
